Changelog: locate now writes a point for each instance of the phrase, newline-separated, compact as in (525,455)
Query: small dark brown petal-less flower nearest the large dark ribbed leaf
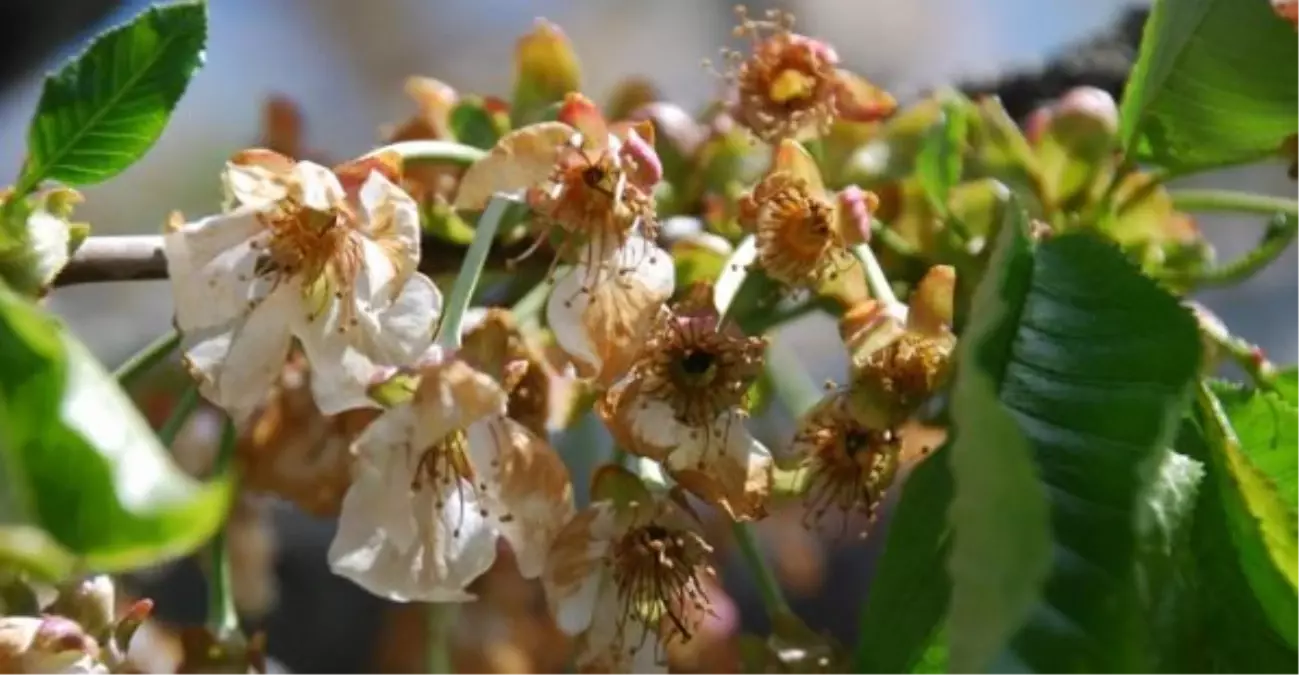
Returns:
(849,465)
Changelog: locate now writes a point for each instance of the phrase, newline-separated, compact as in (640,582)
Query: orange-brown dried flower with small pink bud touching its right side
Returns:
(805,230)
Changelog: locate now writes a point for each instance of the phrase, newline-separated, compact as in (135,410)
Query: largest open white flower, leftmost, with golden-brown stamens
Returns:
(324,258)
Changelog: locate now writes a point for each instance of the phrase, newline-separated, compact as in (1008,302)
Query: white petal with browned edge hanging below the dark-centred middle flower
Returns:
(727,468)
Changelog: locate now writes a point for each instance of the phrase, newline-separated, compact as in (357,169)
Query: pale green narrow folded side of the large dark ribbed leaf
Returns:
(1002,535)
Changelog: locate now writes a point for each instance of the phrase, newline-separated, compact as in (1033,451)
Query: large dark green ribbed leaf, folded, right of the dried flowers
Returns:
(1094,364)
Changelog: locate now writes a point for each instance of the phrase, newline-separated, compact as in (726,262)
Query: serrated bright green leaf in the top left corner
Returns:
(107,108)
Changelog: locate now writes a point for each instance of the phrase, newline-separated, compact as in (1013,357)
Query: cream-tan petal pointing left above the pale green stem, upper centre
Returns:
(523,159)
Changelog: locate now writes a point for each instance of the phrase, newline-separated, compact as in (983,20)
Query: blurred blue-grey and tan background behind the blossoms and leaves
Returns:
(344,63)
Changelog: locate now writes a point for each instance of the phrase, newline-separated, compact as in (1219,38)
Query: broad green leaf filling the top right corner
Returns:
(1213,85)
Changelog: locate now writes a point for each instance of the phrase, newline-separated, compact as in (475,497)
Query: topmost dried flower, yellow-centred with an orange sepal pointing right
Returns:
(790,84)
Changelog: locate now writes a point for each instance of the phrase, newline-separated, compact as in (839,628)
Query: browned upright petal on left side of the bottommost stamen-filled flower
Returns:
(575,569)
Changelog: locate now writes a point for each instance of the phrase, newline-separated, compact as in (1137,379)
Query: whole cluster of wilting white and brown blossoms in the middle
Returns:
(424,429)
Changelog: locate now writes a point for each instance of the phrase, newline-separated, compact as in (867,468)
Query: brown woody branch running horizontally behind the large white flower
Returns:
(140,259)
